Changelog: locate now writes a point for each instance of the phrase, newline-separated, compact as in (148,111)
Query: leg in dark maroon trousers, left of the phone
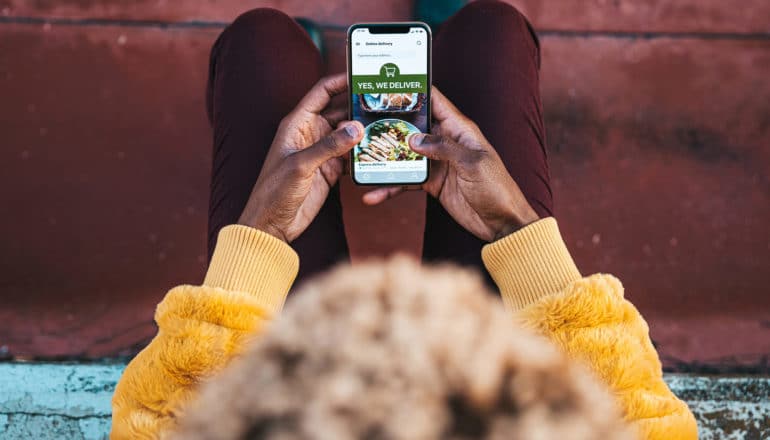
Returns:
(260,67)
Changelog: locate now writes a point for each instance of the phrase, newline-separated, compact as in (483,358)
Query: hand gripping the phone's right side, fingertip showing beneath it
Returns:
(467,176)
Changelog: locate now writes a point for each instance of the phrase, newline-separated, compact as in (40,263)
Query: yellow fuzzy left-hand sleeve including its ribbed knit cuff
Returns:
(201,328)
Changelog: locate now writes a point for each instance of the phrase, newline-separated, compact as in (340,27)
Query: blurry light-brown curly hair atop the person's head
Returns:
(395,350)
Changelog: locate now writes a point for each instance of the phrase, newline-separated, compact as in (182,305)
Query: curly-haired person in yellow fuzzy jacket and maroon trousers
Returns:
(390,349)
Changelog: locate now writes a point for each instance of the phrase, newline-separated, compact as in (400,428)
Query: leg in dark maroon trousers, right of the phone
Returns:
(486,60)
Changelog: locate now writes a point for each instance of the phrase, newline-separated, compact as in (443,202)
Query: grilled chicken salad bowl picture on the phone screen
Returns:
(387,140)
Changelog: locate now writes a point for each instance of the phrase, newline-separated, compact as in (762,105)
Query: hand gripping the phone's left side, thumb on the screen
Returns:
(303,163)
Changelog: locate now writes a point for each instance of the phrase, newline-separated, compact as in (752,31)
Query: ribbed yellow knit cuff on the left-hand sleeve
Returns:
(252,261)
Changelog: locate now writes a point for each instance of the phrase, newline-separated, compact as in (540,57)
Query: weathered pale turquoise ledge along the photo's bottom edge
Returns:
(72,401)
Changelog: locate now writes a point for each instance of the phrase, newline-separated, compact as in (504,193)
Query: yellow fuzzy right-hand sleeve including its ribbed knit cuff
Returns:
(590,320)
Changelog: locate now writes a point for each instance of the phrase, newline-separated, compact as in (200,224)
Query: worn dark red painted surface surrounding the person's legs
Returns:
(658,122)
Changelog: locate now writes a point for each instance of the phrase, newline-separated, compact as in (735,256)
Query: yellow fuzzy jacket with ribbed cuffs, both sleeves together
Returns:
(201,328)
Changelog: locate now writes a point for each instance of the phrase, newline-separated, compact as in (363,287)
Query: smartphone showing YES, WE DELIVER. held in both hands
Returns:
(389,78)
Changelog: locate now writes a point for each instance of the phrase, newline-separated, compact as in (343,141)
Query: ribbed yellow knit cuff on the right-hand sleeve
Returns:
(530,263)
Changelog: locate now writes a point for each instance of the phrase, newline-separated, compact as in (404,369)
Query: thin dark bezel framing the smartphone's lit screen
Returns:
(382,28)
